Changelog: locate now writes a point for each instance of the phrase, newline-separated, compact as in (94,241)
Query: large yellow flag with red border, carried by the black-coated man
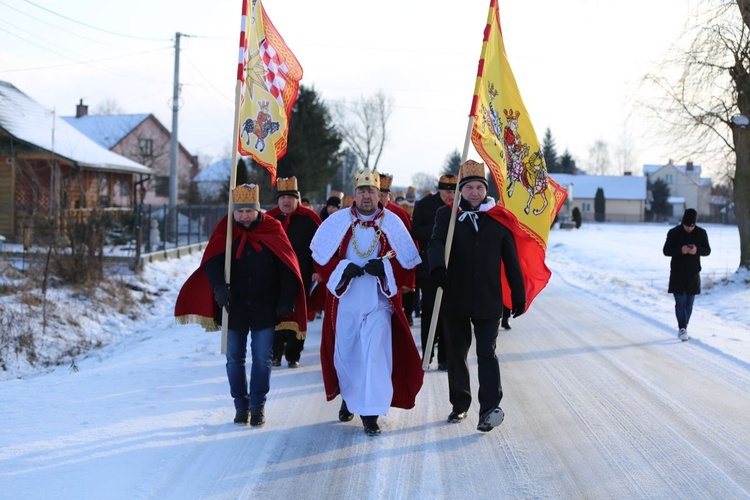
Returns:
(504,137)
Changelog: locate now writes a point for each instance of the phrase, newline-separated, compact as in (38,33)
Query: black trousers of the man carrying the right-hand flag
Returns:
(458,337)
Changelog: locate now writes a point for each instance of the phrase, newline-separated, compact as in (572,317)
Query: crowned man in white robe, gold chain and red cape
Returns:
(367,351)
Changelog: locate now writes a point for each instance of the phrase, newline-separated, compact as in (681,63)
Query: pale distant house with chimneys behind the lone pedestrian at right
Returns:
(687,188)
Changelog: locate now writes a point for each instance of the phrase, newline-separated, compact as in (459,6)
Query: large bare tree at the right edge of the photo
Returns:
(705,98)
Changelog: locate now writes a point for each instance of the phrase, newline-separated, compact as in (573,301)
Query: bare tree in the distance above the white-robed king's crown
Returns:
(363,126)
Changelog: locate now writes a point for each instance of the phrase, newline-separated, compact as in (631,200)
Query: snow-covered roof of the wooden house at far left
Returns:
(28,121)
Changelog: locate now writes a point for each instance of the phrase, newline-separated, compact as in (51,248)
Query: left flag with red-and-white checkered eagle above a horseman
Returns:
(269,74)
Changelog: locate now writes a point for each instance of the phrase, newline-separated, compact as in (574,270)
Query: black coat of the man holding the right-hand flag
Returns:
(473,281)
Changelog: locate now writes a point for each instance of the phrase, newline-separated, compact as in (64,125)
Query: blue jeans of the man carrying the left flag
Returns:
(261,348)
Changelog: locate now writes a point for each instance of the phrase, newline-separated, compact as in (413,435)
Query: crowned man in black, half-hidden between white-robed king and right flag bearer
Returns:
(423,221)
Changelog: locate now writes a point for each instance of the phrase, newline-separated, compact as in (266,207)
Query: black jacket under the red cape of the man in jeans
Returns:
(260,283)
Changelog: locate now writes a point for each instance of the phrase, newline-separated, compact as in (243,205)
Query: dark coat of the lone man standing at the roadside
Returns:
(684,275)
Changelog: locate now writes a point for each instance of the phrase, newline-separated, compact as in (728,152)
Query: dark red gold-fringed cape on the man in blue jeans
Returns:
(195,302)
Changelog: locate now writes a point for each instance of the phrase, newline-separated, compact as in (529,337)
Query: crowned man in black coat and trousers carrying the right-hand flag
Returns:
(473,292)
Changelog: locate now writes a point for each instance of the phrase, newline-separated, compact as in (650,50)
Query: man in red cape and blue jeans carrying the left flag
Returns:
(264,290)
